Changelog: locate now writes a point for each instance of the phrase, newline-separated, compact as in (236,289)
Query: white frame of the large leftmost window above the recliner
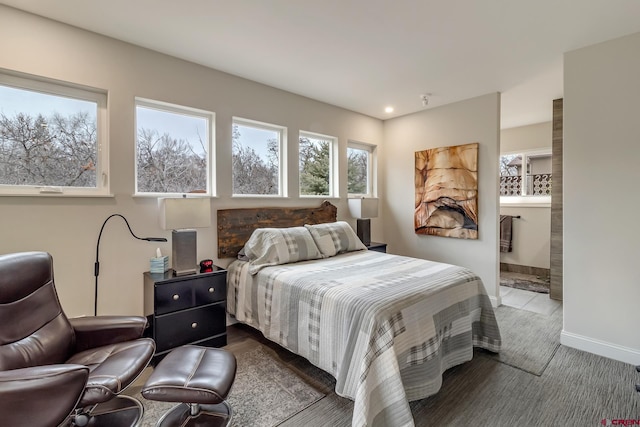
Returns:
(62,89)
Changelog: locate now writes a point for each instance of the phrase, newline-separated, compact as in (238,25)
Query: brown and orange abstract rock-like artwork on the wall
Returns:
(446,181)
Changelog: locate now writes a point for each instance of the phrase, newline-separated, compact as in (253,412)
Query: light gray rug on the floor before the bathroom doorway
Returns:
(529,340)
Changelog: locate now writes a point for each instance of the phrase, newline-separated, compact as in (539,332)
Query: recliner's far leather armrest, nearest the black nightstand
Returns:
(92,332)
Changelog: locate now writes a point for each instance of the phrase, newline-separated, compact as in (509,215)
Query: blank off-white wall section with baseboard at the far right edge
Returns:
(601,176)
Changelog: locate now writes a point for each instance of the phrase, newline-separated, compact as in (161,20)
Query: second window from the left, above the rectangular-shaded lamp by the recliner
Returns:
(173,148)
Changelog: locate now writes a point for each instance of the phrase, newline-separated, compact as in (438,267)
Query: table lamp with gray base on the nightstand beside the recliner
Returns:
(182,215)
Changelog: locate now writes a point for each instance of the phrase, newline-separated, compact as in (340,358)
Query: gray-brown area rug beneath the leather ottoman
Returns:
(265,392)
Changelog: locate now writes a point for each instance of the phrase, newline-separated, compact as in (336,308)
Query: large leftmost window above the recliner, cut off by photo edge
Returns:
(52,138)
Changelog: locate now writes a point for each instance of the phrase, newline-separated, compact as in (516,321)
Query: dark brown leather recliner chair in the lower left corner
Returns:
(55,370)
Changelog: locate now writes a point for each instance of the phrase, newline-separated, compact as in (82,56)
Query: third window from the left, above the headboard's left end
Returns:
(257,158)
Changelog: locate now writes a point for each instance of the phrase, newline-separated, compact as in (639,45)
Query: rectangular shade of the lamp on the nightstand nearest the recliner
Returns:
(179,213)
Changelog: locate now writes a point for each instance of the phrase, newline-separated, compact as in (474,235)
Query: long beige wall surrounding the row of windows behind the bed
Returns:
(68,227)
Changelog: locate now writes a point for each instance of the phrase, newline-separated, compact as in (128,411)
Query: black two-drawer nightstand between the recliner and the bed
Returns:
(186,309)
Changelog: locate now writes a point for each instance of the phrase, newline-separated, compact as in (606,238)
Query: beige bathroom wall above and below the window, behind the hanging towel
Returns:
(532,232)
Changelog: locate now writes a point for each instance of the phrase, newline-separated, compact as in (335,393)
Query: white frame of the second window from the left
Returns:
(181,110)
